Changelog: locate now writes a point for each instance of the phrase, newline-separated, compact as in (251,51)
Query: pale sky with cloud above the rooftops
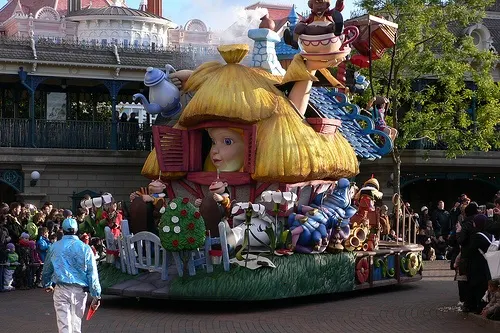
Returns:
(217,14)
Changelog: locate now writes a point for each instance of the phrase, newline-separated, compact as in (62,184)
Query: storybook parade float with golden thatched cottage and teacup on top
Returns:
(250,195)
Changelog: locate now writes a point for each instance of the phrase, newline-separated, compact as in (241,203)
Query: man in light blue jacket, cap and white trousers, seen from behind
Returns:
(70,271)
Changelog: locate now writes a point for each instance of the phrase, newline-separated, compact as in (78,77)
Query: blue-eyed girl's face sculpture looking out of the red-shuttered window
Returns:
(228,149)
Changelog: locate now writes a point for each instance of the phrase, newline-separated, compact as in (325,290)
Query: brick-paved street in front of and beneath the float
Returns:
(425,306)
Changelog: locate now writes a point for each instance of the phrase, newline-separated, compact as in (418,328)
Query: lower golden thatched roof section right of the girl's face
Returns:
(290,151)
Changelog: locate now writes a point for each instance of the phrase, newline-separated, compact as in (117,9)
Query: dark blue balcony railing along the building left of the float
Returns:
(74,134)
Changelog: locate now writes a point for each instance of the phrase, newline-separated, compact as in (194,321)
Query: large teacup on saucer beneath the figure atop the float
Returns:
(327,46)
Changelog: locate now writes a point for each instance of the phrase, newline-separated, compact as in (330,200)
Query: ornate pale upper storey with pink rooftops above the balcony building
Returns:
(103,23)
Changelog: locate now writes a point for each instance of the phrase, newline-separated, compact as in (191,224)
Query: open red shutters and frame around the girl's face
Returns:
(186,151)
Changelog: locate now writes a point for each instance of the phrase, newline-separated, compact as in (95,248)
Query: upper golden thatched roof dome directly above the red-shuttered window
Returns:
(231,92)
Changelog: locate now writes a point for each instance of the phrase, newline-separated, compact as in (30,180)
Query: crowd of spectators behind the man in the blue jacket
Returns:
(27,232)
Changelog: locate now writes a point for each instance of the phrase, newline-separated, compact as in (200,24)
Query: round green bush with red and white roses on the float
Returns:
(181,226)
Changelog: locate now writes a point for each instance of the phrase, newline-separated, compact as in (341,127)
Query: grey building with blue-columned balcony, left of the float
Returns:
(68,69)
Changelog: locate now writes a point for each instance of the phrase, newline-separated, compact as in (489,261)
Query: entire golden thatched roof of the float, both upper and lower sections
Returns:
(288,148)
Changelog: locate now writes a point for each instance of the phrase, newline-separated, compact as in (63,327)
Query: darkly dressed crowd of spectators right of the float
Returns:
(461,235)
